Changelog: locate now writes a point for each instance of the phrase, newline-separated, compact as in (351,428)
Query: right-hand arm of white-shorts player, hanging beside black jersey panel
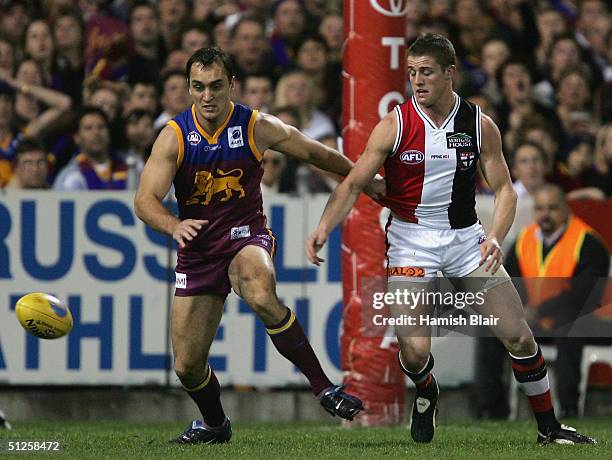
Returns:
(497,175)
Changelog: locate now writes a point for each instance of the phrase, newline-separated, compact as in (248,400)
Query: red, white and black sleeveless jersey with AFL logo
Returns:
(431,171)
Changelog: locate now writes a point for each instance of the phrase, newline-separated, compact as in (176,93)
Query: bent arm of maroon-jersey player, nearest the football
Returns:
(154,184)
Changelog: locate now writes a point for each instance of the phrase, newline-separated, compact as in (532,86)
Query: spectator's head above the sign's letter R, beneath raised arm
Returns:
(31,166)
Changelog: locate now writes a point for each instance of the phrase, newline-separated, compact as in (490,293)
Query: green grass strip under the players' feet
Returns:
(468,439)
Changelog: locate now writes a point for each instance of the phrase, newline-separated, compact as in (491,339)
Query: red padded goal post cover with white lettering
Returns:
(374,81)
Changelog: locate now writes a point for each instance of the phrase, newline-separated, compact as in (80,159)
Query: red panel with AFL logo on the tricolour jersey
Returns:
(405,170)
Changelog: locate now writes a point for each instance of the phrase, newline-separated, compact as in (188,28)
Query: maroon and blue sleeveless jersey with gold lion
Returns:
(218,180)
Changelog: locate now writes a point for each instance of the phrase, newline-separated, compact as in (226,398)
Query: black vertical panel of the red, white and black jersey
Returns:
(462,210)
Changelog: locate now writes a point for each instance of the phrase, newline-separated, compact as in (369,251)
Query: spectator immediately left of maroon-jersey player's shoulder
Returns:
(139,135)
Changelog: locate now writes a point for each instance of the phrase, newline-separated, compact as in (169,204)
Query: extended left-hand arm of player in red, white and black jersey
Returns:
(344,197)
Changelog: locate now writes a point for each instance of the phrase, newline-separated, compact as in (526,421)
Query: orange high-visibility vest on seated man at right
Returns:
(558,266)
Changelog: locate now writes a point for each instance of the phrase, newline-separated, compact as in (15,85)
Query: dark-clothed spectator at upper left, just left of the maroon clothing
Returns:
(69,64)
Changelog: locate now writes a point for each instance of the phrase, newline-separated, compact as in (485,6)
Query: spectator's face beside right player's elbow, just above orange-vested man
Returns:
(528,169)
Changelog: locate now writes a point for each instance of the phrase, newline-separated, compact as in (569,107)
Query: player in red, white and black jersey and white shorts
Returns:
(430,147)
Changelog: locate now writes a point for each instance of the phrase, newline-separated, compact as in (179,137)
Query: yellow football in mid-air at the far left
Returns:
(43,315)
